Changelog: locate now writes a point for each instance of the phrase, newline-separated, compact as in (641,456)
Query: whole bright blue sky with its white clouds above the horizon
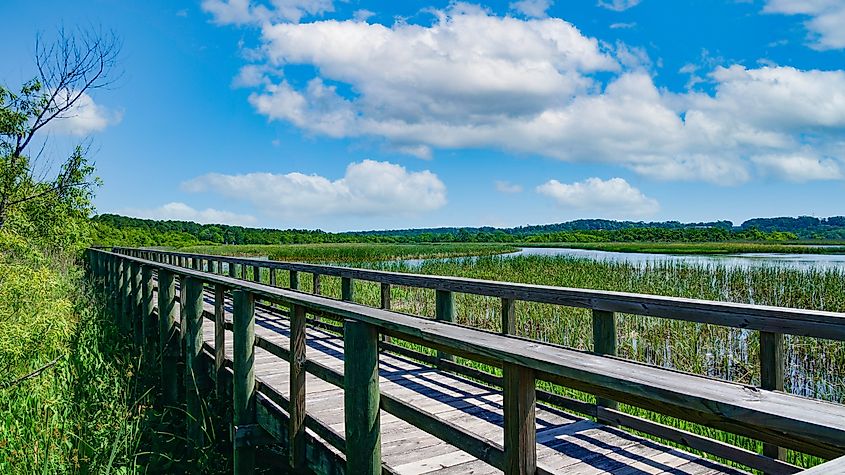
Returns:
(349,115)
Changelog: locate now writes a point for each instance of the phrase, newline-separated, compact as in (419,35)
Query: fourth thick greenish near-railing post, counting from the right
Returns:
(168,339)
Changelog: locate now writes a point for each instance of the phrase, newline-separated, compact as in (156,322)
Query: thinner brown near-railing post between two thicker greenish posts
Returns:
(296,427)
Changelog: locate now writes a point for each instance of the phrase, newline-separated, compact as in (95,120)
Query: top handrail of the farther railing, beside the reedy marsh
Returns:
(800,322)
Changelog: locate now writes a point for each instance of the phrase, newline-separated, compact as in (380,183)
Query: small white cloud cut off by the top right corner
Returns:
(826,21)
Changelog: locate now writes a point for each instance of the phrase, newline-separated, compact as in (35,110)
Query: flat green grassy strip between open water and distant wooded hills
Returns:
(699,247)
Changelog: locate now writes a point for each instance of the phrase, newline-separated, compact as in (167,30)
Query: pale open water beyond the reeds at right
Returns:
(749,260)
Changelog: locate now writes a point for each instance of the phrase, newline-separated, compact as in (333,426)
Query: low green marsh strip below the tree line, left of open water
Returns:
(345,253)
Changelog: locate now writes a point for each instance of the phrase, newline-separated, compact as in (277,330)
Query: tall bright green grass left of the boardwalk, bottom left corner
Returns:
(67,397)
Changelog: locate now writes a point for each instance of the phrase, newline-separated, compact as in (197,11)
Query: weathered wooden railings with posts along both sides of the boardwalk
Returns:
(767,414)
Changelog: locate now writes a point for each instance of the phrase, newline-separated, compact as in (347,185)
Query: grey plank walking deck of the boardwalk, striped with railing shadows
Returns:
(565,443)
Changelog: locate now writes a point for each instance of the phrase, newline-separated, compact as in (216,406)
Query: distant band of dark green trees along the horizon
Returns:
(113,229)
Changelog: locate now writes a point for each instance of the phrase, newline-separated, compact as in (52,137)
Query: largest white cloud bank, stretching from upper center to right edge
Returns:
(475,80)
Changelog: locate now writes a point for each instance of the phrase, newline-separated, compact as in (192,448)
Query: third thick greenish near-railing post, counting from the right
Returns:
(191,303)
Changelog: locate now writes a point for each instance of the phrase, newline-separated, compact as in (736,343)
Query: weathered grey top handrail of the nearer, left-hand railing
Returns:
(813,424)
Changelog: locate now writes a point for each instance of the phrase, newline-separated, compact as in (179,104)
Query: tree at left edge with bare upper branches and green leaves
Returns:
(36,197)
